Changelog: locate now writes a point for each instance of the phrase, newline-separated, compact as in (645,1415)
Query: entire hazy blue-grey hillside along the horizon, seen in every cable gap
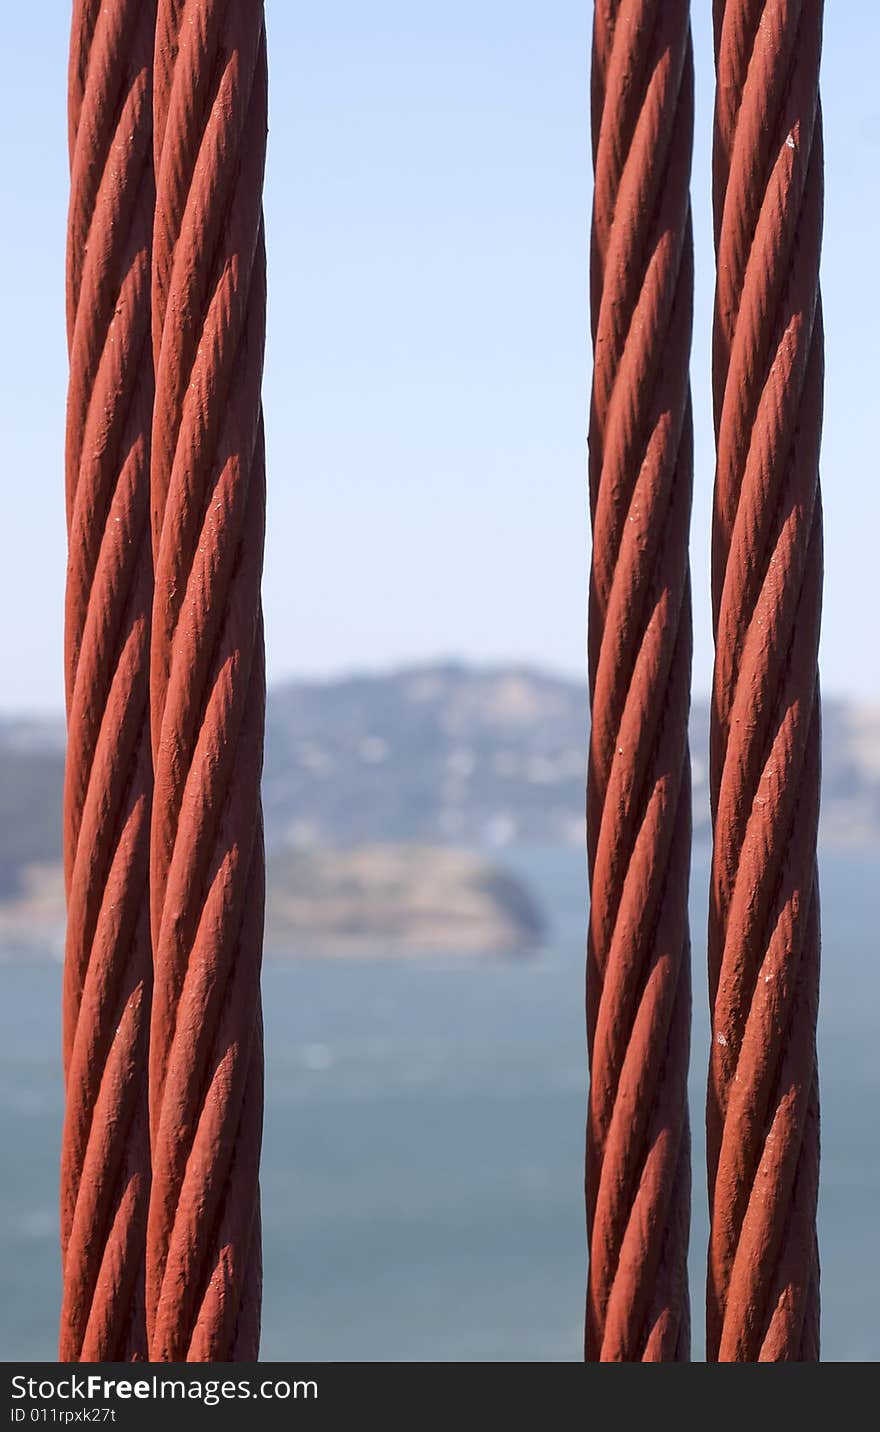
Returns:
(437,755)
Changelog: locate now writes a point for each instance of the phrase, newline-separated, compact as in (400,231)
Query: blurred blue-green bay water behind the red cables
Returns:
(423,1153)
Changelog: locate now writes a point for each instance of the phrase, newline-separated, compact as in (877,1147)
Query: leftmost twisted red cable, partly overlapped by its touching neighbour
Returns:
(108,777)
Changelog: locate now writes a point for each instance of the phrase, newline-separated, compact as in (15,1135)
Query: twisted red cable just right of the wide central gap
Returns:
(639,798)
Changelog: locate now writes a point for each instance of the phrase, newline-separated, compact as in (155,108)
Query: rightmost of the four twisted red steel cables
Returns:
(763,930)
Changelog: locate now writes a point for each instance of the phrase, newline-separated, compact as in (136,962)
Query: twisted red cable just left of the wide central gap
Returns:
(208,681)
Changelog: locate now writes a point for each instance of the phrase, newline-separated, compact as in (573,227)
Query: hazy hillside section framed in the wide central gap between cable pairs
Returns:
(444,754)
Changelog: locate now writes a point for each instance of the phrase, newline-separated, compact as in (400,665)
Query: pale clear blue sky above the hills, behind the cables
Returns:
(429,360)
